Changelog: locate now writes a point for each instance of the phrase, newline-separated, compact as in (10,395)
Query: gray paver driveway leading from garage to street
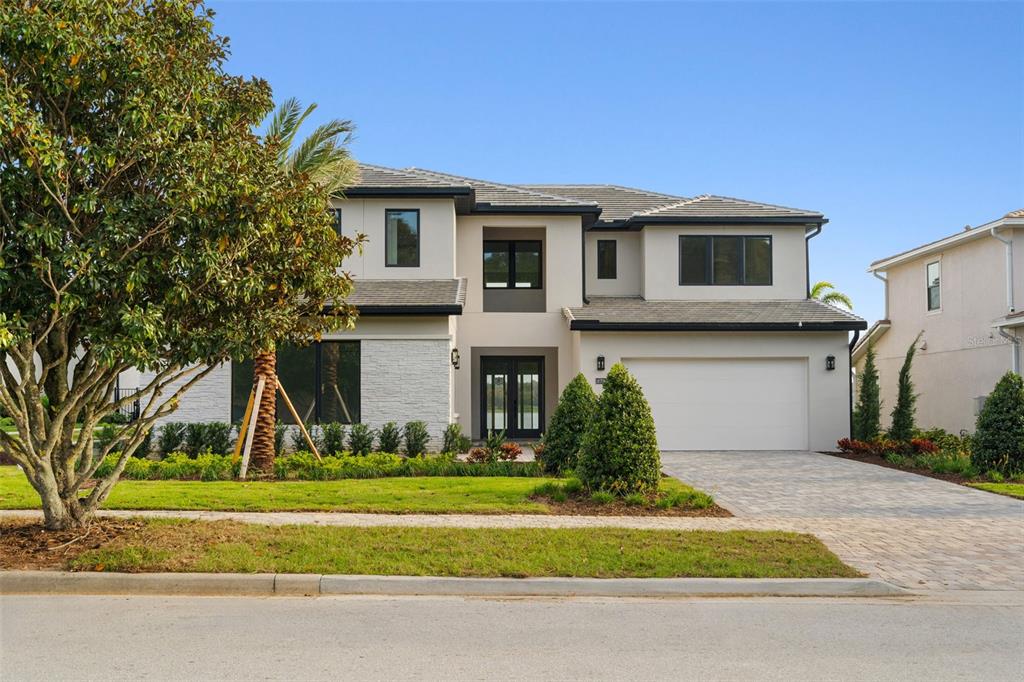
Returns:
(914,531)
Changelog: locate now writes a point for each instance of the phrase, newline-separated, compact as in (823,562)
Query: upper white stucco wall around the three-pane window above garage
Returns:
(661,264)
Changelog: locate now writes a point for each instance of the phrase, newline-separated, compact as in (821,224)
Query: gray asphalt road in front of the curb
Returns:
(963,636)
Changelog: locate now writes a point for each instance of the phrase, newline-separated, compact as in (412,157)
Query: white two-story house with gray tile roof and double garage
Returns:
(480,302)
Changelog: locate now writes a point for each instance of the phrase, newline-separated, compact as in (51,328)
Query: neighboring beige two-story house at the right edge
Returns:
(960,293)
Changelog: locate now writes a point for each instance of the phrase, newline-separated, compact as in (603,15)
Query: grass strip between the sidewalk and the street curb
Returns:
(231,547)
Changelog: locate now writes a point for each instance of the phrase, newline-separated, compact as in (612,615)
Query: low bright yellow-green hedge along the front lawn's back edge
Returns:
(305,466)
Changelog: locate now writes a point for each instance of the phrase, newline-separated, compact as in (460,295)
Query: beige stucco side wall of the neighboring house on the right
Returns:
(963,356)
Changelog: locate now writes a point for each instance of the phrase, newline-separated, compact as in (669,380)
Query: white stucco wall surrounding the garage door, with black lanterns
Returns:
(829,415)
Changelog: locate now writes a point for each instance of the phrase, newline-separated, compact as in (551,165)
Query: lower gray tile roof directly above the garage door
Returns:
(633,313)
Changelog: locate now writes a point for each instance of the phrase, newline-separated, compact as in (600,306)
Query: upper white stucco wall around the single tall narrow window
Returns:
(437,238)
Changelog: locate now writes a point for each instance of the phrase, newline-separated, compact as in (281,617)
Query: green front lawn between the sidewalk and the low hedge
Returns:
(431,495)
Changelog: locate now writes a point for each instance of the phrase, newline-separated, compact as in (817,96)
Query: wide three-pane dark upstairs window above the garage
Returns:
(724,261)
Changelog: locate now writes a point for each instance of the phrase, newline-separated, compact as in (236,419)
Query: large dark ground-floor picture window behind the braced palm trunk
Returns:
(322,379)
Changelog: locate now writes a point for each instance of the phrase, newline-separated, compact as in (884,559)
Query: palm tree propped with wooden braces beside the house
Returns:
(324,157)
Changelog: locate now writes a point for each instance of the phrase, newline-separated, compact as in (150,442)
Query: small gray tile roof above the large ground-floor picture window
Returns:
(380,295)
